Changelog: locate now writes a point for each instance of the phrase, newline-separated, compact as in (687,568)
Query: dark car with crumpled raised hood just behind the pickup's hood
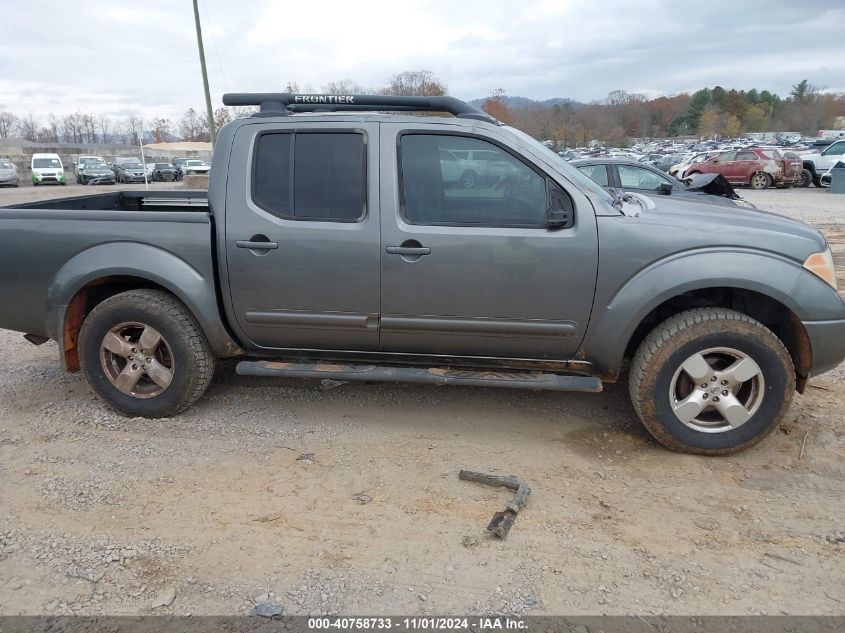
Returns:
(629,175)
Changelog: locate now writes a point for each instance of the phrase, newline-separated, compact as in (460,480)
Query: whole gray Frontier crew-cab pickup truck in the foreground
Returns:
(340,240)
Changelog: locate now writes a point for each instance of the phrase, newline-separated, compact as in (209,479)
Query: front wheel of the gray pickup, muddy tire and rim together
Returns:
(662,391)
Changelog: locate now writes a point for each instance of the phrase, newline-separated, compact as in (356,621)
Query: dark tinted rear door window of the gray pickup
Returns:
(310,176)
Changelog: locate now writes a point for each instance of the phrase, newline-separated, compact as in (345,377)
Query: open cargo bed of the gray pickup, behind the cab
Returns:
(51,248)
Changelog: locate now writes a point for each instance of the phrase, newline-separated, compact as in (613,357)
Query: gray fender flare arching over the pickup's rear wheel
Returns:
(195,288)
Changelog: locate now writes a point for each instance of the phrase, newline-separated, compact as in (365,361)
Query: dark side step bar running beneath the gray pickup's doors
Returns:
(432,375)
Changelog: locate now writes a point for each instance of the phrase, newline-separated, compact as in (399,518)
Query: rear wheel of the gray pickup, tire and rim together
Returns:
(181,356)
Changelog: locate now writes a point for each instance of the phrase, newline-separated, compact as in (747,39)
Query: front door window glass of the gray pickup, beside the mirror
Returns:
(458,180)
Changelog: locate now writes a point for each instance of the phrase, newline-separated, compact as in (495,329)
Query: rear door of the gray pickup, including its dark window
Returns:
(302,235)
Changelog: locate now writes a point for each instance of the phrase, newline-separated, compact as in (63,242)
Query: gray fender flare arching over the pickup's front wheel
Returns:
(613,324)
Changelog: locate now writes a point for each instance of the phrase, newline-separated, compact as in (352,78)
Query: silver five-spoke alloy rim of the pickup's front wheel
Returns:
(717,390)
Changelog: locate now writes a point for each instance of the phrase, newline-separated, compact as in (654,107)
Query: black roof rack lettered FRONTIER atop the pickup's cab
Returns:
(275,103)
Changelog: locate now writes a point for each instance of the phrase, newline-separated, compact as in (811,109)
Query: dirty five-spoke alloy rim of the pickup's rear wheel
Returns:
(137,360)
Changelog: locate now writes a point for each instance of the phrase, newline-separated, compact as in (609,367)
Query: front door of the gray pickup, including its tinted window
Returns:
(468,264)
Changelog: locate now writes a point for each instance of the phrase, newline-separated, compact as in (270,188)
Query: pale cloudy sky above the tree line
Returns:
(118,58)
